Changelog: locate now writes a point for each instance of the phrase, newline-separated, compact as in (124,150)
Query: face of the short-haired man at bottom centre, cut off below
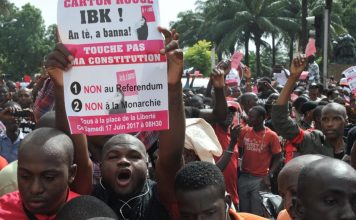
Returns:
(204,204)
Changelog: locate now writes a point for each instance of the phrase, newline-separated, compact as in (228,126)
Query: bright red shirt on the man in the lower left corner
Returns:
(11,207)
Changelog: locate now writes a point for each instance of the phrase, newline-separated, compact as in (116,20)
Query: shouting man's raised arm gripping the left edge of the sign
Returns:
(58,61)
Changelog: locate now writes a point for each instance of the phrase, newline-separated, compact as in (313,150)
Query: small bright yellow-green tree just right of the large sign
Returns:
(199,57)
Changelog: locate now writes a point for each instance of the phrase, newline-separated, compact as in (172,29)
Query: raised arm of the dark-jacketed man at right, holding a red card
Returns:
(284,125)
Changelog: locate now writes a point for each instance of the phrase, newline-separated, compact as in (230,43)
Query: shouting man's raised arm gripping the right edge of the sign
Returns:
(171,142)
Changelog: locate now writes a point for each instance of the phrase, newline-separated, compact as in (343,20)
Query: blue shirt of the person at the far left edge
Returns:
(9,150)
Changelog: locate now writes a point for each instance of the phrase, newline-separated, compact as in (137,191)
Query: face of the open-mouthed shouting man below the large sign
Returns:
(124,168)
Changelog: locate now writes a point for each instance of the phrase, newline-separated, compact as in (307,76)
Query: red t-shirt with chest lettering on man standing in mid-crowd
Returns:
(258,149)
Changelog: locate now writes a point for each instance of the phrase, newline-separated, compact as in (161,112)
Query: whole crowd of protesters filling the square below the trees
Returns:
(231,147)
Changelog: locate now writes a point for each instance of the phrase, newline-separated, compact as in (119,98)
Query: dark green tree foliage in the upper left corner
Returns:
(24,43)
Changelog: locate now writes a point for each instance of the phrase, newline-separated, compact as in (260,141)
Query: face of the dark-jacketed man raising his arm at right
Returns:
(332,123)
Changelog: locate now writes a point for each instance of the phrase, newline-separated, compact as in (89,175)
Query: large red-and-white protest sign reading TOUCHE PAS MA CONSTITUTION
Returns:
(118,83)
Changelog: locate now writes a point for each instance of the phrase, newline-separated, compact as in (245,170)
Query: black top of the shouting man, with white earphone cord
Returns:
(145,207)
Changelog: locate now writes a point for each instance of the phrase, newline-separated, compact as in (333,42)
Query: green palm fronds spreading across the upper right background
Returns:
(231,24)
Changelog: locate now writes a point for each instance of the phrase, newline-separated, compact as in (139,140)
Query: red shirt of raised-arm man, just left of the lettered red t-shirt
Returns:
(230,172)
